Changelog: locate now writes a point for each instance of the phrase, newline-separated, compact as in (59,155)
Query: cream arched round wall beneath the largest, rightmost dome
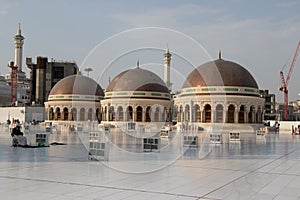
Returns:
(196,105)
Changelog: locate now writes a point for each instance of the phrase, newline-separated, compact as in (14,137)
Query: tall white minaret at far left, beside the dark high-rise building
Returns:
(18,41)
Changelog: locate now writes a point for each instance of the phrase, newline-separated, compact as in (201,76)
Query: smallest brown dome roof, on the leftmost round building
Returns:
(77,84)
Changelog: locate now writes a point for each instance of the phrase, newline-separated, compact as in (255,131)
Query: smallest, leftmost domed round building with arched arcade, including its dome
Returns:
(74,98)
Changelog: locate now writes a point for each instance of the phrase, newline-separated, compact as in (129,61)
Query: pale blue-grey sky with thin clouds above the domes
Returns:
(260,35)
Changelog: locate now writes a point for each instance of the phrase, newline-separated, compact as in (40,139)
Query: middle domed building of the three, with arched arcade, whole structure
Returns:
(136,95)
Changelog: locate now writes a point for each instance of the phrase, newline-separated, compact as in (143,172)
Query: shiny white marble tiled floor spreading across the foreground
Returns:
(250,169)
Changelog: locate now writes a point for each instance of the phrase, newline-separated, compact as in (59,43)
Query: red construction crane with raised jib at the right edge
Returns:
(285,82)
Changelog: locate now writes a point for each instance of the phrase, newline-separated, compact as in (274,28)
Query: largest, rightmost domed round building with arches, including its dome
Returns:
(219,91)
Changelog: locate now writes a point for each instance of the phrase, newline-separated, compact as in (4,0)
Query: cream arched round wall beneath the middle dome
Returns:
(142,107)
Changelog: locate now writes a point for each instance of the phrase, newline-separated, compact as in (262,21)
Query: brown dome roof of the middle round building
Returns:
(137,80)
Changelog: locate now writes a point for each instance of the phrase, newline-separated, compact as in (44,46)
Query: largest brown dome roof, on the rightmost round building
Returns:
(220,73)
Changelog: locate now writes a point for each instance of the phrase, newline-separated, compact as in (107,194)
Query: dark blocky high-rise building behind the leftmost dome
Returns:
(44,75)
